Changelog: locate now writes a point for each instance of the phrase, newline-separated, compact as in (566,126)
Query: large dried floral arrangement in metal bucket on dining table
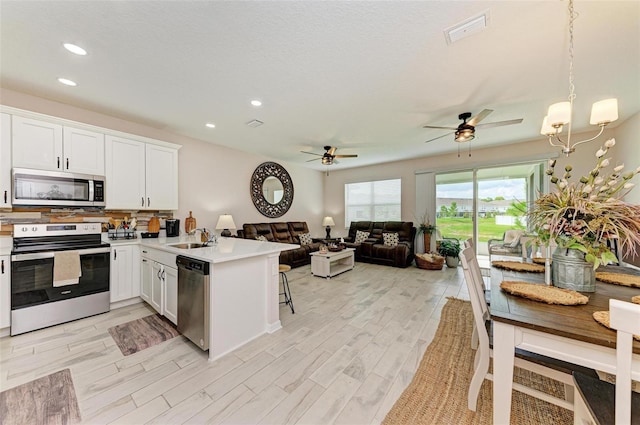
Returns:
(585,215)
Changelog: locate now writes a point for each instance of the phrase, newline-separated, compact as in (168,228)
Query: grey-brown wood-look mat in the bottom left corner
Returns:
(48,400)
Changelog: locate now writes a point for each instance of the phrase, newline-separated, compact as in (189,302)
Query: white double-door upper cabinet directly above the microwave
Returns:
(47,146)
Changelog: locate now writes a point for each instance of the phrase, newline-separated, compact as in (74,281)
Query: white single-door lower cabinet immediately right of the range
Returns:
(124,273)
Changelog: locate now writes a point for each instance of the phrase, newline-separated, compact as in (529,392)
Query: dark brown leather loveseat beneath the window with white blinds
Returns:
(374,250)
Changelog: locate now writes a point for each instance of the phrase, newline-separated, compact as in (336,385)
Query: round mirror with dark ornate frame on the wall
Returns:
(271,189)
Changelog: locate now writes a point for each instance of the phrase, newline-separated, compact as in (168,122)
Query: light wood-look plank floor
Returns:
(344,357)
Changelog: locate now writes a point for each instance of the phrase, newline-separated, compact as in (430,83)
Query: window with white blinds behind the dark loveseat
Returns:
(374,201)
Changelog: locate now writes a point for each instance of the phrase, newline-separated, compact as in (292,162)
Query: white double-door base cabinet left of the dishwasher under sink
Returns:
(160,282)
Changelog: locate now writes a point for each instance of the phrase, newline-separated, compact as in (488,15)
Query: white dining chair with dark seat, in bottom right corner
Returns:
(599,402)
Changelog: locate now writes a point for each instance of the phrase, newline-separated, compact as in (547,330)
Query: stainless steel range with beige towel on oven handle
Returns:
(59,273)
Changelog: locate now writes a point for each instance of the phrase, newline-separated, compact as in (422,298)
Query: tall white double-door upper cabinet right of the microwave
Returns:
(140,175)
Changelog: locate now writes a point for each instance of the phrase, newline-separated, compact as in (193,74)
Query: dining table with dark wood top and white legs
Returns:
(566,333)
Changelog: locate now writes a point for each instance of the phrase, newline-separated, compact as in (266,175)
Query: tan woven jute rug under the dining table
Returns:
(438,392)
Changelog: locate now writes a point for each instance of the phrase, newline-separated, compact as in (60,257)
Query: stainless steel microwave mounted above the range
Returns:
(38,187)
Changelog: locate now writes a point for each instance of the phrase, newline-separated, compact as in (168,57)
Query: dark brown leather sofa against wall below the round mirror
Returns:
(283,232)
